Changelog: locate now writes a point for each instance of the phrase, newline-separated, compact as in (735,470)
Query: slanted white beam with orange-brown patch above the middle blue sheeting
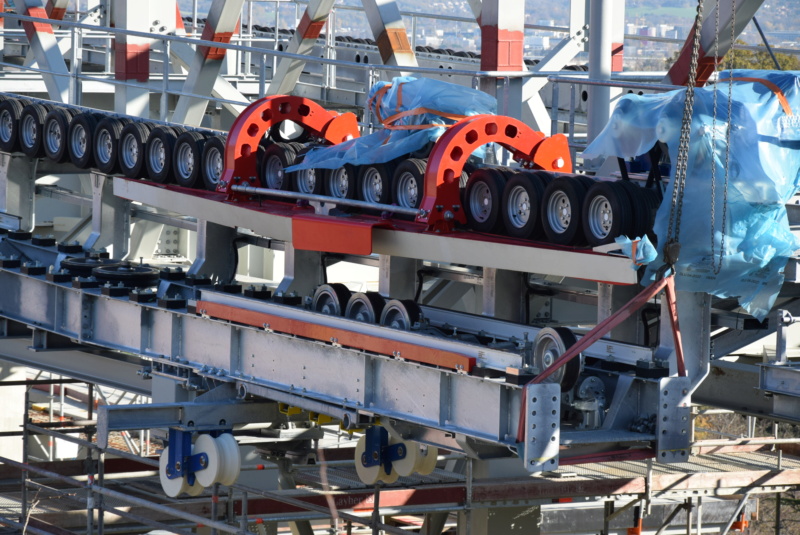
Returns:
(389,33)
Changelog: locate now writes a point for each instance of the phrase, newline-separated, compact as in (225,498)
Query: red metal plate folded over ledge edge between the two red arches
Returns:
(333,234)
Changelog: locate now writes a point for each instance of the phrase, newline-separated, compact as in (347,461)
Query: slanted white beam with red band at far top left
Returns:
(45,49)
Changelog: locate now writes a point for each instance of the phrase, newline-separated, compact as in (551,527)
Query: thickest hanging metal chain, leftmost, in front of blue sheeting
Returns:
(672,247)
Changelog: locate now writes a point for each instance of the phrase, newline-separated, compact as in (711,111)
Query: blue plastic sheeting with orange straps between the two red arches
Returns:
(404,94)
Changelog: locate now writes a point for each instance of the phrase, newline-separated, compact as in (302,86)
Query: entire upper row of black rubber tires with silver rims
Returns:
(570,210)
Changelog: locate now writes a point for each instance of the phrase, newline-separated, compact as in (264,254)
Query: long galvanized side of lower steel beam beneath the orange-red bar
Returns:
(363,382)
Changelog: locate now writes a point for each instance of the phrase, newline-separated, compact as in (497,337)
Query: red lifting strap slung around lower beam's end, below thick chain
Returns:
(602,328)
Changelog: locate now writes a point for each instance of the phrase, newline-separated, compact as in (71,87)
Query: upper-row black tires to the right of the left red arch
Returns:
(572,210)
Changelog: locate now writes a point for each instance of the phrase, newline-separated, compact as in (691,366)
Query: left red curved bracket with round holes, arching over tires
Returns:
(253,123)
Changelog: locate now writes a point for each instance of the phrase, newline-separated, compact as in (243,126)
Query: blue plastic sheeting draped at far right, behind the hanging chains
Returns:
(763,165)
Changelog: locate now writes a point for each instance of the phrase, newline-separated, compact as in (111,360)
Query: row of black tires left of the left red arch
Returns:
(112,145)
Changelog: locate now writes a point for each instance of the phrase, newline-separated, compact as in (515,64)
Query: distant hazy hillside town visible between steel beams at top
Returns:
(657,18)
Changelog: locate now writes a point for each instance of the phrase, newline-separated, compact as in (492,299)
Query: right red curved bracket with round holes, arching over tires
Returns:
(441,196)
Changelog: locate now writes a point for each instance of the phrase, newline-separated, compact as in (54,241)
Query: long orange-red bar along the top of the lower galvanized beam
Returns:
(323,333)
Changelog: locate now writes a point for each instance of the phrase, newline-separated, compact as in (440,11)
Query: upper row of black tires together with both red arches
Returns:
(540,201)
